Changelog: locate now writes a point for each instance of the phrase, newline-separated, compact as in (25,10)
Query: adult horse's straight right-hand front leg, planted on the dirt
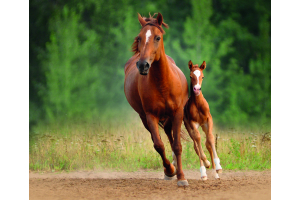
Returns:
(177,148)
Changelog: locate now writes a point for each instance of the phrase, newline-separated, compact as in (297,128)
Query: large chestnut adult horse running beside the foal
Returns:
(157,90)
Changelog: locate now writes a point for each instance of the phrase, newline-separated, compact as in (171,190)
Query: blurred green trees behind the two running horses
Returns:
(77,52)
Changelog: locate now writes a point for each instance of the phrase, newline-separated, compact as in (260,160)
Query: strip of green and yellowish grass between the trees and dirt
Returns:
(127,146)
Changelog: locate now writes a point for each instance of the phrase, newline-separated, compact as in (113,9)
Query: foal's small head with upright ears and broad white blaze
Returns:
(196,76)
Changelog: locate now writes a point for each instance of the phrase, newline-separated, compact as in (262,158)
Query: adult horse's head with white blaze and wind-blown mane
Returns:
(149,42)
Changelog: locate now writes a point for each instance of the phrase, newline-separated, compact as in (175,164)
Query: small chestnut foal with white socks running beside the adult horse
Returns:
(196,112)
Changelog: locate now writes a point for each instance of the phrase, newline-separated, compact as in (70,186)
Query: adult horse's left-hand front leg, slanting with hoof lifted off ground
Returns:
(152,123)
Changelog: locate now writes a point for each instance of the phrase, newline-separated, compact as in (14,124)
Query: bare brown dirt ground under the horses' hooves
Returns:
(148,185)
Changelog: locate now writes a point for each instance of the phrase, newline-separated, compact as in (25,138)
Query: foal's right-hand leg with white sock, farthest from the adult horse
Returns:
(210,145)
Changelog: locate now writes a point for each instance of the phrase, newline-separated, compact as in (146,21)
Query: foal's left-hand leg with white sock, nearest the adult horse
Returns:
(195,135)
